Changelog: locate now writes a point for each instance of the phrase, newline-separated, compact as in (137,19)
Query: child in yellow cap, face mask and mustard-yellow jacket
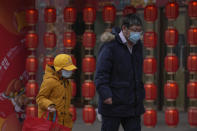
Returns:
(55,92)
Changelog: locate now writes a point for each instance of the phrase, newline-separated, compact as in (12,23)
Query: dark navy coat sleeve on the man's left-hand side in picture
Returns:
(103,72)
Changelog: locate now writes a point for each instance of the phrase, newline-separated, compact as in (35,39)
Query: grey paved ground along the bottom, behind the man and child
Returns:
(183,124)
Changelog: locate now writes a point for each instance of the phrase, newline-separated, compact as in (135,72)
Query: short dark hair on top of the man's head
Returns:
(130,20)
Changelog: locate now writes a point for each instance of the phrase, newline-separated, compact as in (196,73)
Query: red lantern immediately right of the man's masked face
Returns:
(150,39)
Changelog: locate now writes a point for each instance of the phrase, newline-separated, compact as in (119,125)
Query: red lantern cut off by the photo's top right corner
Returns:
(192,9)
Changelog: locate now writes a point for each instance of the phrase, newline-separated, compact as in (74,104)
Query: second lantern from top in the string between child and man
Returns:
(89,39)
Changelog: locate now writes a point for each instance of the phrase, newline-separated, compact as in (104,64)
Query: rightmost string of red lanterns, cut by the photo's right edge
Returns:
(192,64)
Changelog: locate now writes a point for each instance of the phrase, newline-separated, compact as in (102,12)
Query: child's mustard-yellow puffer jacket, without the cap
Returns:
(55,90)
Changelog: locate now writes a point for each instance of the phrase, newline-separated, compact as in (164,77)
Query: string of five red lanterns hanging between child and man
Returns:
(89,63)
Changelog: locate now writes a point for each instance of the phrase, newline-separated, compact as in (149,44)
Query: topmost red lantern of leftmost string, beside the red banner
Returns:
(31,16)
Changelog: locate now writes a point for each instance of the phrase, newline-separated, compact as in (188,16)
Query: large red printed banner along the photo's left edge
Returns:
(12,63)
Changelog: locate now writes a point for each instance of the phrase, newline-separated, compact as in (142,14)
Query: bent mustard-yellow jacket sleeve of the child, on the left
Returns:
(44,93)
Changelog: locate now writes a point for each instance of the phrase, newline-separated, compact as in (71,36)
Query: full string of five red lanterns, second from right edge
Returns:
(171,89)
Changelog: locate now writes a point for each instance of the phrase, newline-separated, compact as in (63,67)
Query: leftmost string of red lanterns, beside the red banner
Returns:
(31,43)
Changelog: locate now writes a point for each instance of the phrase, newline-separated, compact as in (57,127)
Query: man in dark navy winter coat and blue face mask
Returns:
(119,77)
